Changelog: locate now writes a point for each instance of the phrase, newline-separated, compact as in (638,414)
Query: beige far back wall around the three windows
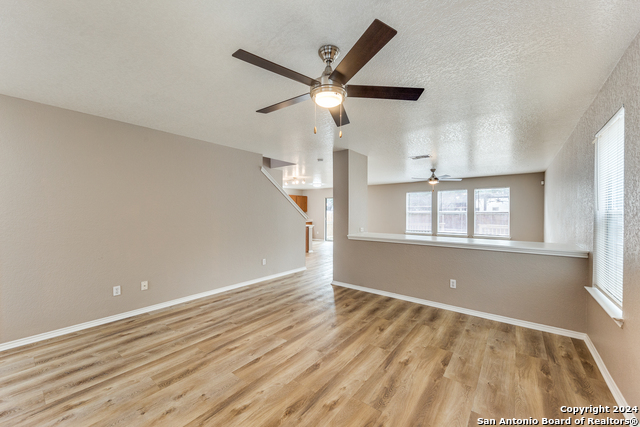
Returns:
(387,203)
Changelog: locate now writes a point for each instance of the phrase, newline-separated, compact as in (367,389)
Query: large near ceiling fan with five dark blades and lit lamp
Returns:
(330,89)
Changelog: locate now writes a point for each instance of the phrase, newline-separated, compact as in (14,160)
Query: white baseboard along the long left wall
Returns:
(79,327)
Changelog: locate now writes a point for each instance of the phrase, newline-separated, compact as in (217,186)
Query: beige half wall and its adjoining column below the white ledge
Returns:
(537,288)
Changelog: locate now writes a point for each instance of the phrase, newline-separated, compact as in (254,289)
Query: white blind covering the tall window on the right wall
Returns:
(609,218)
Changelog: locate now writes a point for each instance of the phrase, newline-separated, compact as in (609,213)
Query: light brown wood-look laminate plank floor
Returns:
(297,352)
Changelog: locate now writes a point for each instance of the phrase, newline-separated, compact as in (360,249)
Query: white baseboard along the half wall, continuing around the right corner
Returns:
(620,400)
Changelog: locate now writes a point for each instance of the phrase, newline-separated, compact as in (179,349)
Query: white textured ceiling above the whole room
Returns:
(505,82)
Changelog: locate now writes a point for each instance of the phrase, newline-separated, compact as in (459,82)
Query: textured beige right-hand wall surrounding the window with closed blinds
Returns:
(569,211)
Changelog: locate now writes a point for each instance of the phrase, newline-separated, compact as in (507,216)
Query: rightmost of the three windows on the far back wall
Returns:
(492,212)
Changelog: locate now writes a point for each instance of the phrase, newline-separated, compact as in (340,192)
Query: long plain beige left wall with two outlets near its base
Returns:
(89,203)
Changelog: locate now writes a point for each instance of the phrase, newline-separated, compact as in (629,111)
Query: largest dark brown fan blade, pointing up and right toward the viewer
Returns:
(375,38)
